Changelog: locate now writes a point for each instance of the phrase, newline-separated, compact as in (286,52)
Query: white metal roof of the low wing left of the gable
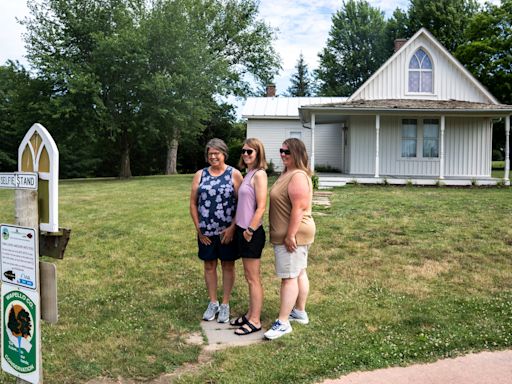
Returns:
(282,107)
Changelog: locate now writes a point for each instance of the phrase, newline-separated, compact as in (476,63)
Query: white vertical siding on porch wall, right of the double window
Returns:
(468,143)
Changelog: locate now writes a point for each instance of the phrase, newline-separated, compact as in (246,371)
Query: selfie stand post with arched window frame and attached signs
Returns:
(29,287)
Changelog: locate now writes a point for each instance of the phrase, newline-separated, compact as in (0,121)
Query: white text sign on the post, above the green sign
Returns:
(18,255)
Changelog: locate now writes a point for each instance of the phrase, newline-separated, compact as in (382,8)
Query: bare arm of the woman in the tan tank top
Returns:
(298,191)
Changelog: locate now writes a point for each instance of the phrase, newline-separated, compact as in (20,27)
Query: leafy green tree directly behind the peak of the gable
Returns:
(445,19)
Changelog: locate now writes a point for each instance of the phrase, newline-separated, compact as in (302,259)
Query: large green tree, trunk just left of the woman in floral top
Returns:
(201,49)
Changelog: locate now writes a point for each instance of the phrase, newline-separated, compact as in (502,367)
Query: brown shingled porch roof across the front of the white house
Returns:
(325,112)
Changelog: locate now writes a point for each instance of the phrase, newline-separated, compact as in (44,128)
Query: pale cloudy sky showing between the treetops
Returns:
(302,27)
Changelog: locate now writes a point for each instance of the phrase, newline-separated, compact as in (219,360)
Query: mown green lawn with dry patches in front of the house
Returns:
(398,275)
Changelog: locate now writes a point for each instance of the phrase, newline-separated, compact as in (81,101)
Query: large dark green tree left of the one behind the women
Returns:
(95,57)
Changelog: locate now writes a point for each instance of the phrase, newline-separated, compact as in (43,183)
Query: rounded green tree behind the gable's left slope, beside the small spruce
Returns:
(355,49)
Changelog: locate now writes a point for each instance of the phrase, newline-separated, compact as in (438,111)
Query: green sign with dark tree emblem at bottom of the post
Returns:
(19,332)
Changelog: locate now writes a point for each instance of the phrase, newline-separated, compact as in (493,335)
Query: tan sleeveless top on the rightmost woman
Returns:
(280,210)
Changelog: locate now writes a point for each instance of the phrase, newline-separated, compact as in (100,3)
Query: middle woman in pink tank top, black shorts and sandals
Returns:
(252,201)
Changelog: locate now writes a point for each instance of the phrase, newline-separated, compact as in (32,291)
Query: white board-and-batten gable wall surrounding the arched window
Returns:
(450,80)
